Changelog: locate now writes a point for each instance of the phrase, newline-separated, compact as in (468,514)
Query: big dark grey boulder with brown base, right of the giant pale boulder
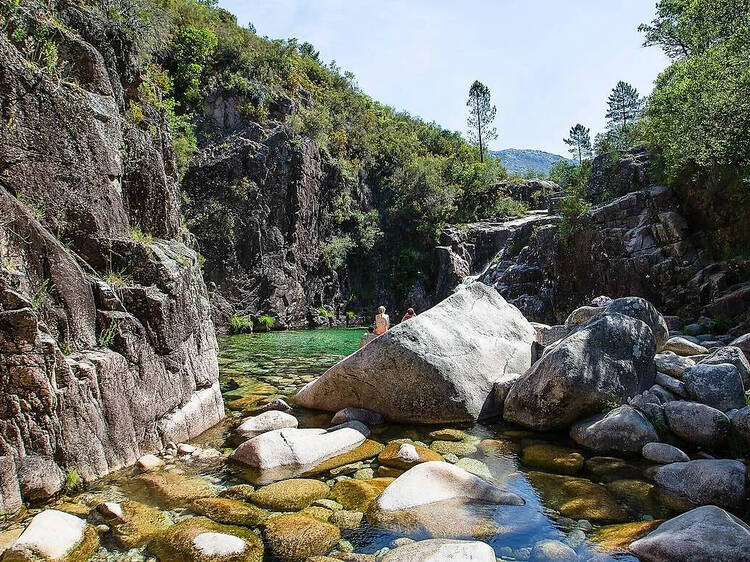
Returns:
(602,363)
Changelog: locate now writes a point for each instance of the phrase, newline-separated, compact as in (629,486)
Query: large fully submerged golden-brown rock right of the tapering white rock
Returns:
(577,498)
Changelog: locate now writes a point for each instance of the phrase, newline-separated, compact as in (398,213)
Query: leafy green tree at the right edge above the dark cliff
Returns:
(698,116)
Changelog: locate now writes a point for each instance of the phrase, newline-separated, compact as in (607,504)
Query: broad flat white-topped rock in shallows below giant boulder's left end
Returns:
(300,447)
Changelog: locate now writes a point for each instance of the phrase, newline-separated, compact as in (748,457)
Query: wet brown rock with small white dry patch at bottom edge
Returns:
(201,540)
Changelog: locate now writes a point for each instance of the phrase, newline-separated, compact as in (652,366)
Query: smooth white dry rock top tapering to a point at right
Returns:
(436,481)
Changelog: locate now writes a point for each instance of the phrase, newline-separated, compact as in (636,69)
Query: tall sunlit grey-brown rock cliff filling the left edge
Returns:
(107,349)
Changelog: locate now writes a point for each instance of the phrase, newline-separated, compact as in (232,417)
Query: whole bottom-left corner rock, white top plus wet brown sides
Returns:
(54,535)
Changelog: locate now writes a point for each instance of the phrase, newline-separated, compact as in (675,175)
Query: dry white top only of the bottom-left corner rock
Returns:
(51,535)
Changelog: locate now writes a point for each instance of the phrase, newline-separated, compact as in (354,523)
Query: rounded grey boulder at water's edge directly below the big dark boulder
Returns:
(622,429)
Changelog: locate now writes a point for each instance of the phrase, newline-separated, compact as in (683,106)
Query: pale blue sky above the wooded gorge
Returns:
(549,64)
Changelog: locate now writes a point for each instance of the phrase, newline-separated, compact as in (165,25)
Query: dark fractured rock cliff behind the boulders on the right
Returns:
(638,244)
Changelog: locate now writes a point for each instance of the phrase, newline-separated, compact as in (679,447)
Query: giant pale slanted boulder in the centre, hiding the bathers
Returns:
(438,367)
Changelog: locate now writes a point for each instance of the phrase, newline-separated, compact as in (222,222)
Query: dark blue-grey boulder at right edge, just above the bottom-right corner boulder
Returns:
(684,485)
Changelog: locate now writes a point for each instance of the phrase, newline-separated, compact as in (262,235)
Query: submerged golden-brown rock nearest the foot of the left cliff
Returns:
(168,489)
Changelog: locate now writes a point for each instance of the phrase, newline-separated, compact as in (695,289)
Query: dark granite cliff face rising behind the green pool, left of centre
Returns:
(262,202)
